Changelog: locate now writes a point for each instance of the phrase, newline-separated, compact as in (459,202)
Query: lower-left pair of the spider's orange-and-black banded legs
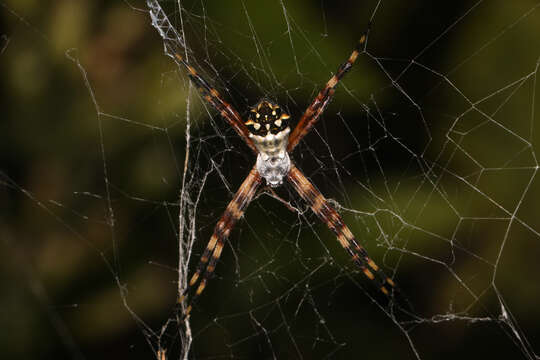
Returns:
(233,212)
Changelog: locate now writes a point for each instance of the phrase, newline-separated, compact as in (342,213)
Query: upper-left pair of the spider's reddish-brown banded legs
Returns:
(212,96)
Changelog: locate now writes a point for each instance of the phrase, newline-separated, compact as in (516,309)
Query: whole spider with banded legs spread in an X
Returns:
(268,134)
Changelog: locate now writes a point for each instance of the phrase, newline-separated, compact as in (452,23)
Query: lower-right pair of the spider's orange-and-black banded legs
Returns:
(331,218)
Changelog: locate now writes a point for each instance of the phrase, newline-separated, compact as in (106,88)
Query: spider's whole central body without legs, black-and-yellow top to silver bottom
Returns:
(269,129)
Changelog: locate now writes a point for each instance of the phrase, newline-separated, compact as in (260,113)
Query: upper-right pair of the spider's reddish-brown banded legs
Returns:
(311,115)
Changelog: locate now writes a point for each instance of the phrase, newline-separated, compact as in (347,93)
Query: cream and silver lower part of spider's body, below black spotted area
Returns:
(273,162)
